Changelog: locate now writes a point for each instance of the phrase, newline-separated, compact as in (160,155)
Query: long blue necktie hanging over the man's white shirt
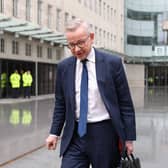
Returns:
(83,101)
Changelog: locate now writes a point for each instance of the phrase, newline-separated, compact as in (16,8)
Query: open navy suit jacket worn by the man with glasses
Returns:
(113,88)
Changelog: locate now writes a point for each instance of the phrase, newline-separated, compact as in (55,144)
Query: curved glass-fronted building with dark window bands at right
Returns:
(146,38)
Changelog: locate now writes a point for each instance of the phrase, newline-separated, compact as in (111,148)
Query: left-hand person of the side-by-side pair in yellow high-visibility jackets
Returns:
(15,83)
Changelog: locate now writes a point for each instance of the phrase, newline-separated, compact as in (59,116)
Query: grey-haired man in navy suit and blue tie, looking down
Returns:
(110,112)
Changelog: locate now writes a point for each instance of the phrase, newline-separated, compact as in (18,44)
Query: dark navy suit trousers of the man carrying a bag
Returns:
(98,148)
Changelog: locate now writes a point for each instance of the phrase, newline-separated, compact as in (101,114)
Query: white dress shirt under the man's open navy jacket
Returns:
(96,108)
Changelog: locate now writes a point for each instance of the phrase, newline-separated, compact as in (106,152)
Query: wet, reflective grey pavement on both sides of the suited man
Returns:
(152,133)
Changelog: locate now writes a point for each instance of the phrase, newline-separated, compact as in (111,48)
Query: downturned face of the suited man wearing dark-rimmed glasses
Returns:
(80,42)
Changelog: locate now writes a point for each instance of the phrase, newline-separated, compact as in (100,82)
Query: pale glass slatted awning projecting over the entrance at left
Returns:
(25,28)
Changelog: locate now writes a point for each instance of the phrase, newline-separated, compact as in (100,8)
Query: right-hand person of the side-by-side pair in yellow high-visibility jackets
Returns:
(27,83)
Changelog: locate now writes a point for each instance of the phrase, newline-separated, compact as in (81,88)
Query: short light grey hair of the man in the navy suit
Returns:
(76,23)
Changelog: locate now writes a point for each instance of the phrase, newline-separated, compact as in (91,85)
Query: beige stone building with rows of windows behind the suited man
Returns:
(31,36)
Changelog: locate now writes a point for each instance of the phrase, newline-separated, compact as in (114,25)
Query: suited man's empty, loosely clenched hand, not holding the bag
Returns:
(51,142)
